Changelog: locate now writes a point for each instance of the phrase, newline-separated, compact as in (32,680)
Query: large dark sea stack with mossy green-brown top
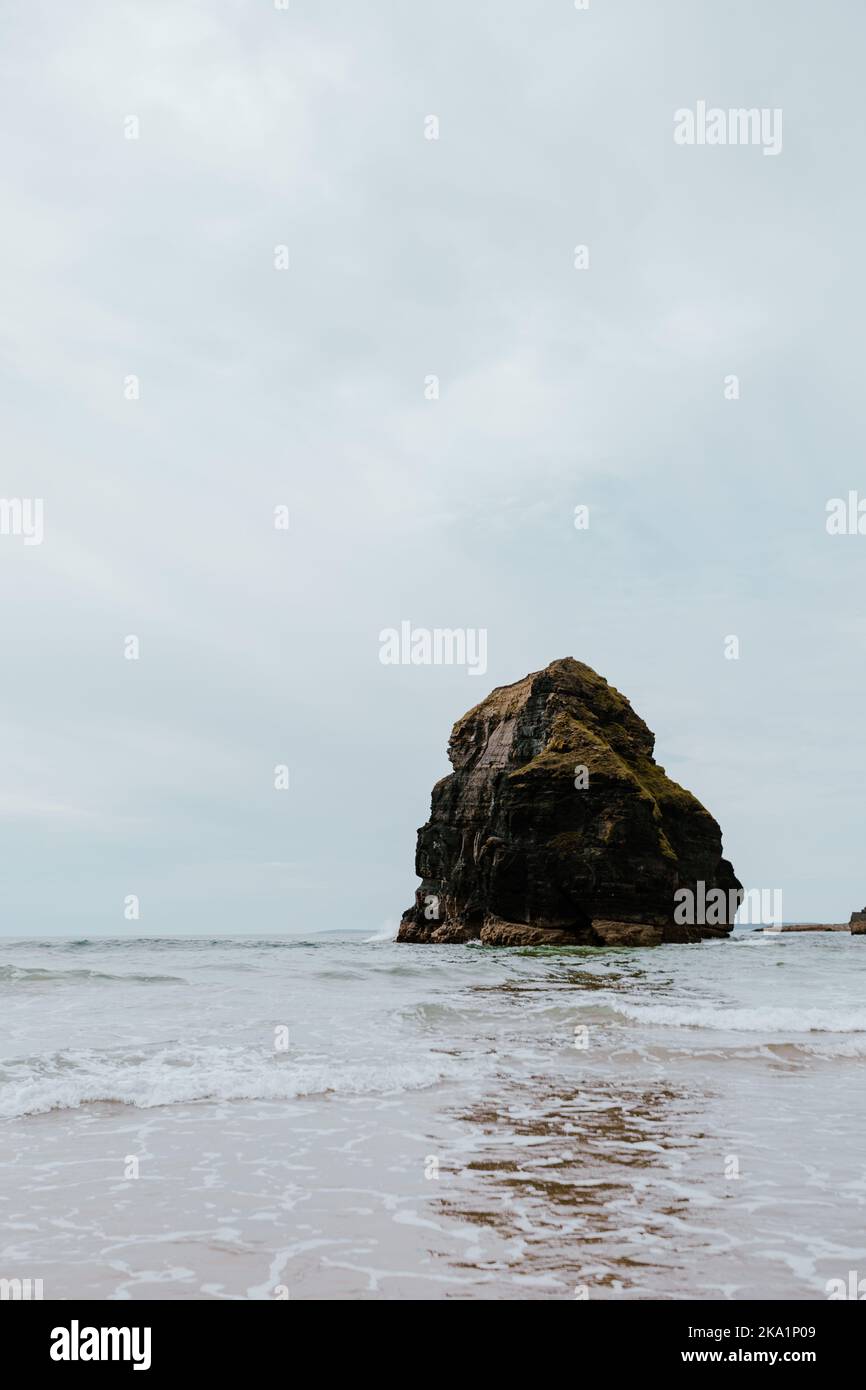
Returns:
(523,849)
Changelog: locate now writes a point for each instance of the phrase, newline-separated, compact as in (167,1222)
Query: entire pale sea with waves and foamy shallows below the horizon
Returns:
(348,1118)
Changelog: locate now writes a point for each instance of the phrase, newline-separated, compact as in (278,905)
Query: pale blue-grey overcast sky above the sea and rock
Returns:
(305,387)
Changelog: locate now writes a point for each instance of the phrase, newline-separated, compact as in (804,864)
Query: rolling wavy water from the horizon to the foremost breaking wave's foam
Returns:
(386,1021)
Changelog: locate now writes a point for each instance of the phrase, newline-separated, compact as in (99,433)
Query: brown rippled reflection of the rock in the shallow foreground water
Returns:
(573,1185)
